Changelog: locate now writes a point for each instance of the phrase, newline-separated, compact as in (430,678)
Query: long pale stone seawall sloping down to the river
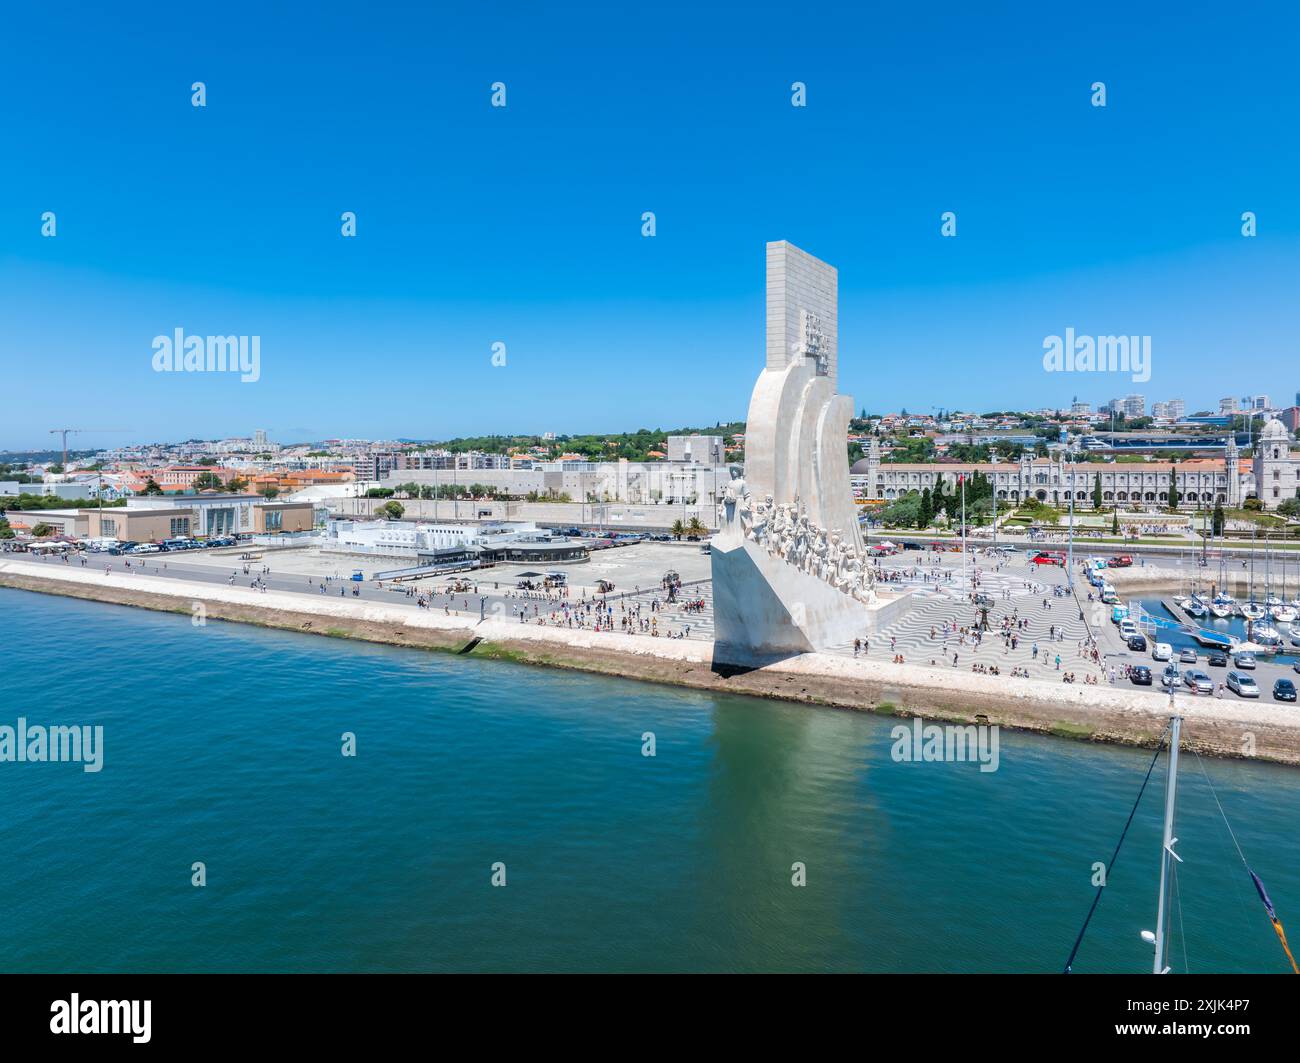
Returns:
(1130,717)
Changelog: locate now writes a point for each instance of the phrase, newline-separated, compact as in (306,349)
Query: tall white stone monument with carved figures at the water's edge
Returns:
(790,569)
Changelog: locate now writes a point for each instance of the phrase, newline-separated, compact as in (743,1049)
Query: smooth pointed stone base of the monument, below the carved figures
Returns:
(765,609)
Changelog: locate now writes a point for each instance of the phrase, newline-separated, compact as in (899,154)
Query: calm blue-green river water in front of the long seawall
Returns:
(223,745)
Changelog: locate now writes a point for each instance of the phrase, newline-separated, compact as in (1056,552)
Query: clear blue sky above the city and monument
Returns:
(523,224)
